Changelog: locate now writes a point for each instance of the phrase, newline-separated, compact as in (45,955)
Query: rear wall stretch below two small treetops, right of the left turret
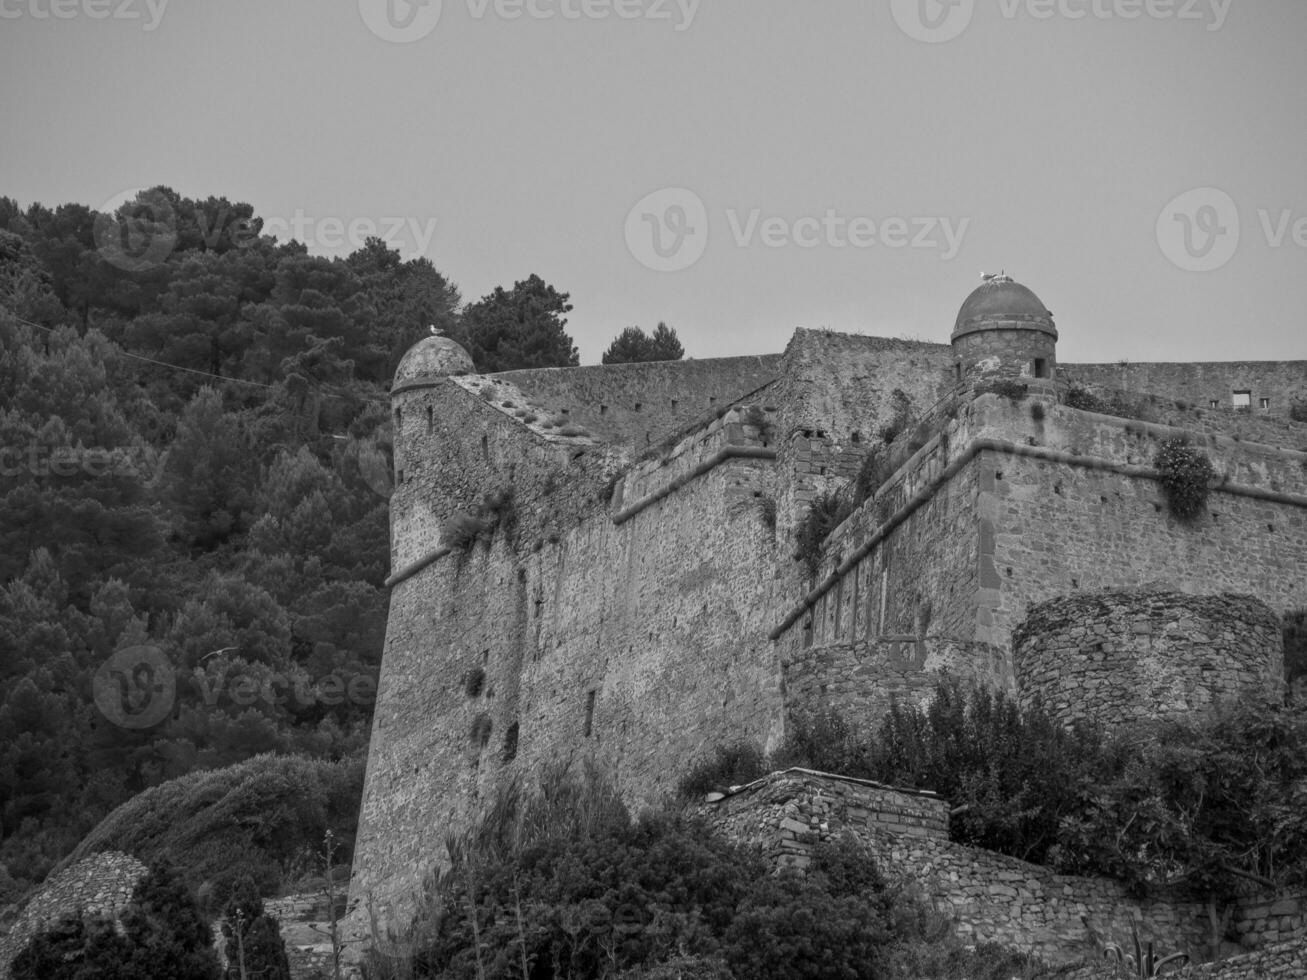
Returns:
(638,406)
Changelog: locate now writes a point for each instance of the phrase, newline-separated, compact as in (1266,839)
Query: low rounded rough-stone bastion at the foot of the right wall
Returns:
(1122,657)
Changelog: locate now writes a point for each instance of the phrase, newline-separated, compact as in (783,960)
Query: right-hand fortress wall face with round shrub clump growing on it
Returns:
(1087,515)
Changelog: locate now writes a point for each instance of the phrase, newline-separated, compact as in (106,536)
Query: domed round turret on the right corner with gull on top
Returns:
(1004,333)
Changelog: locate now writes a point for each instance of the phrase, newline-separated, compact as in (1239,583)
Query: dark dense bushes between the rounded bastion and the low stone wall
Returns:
(1210,804)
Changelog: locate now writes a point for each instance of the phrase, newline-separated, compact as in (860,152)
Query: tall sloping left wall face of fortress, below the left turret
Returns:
(640,645)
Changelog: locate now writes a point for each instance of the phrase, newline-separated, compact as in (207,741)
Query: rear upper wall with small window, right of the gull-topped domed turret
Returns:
(1279,382)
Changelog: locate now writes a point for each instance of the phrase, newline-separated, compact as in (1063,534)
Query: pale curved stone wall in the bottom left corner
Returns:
(99,885)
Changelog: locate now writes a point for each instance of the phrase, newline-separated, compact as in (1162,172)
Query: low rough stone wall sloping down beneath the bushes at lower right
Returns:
(993,898)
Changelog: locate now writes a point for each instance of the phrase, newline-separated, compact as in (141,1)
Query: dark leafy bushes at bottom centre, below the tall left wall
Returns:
(561,883)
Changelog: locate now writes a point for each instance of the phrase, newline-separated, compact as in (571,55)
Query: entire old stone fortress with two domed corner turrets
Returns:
(601,563)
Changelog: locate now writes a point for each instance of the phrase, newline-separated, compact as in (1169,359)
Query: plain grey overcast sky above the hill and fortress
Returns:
(735,168)
